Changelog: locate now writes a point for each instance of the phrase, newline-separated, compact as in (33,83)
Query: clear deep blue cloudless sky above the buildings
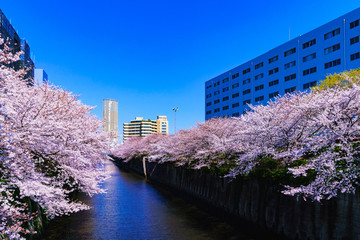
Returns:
(154,55)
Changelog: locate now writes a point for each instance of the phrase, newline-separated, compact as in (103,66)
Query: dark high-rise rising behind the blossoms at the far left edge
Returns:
(8,33)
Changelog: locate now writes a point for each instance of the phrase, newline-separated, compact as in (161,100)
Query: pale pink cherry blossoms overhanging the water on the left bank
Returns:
(50,146)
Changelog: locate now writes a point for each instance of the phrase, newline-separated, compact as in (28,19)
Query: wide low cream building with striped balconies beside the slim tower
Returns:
(144,127)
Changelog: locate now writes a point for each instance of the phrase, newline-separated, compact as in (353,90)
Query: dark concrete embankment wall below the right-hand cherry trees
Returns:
(260,202)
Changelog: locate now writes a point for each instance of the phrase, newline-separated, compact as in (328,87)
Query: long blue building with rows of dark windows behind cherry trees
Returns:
(295,65)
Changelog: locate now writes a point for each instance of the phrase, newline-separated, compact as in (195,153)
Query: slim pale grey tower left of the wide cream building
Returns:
(110,116)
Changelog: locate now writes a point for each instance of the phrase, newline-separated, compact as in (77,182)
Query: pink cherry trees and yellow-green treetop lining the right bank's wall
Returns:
(310,132)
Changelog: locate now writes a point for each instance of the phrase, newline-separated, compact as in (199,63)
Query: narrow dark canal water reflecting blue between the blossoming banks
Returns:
(135,209)
